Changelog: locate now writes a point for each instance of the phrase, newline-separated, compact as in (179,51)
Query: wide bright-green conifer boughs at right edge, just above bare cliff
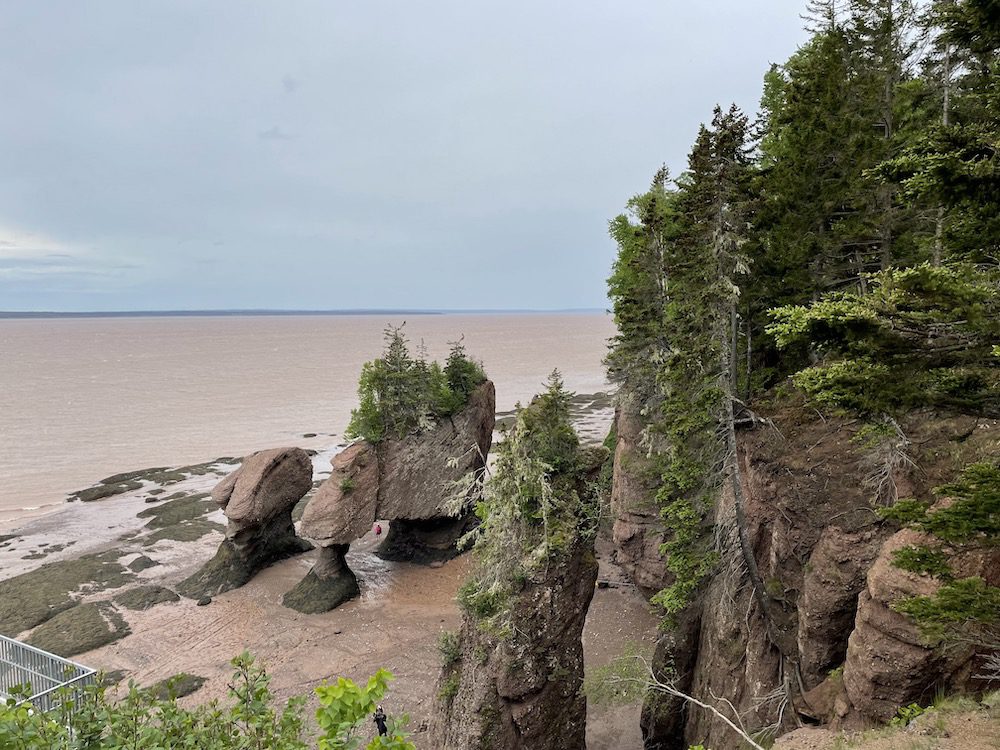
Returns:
(921,336)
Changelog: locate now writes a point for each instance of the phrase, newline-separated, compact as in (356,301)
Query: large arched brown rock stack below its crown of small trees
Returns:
(409,482)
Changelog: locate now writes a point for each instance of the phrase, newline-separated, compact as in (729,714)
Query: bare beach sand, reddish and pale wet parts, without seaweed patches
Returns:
(395,623)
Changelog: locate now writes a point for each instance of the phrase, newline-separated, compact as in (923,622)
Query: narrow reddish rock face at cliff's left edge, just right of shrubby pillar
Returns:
(638,530)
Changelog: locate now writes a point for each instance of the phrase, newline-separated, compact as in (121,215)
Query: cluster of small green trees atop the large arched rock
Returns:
(399,394)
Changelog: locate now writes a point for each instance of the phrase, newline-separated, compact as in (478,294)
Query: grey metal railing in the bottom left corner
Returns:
(45,674)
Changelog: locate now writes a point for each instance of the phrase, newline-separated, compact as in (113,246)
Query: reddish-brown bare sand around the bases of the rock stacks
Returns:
(395,624)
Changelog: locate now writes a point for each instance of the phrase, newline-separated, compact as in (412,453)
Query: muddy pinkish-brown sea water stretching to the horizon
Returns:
(81,399)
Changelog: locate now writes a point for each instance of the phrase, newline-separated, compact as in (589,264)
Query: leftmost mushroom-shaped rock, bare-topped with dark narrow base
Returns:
(257,499)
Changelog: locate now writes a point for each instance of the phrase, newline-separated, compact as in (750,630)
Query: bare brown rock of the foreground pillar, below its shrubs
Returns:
(523,692)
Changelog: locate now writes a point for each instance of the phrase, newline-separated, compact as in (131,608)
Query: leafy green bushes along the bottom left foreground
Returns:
(143,720)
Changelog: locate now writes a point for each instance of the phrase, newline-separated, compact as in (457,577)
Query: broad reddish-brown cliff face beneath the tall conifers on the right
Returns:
(830,647)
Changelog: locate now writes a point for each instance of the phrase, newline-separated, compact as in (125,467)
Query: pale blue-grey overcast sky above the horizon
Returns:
(326,154)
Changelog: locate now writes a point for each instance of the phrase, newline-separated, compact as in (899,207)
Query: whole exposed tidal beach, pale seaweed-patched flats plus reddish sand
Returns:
(141,541)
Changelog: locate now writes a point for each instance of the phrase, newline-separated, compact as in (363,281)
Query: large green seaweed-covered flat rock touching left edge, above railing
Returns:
(29,599)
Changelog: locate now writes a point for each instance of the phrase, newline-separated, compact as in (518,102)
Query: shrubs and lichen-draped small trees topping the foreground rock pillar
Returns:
(533,508)
